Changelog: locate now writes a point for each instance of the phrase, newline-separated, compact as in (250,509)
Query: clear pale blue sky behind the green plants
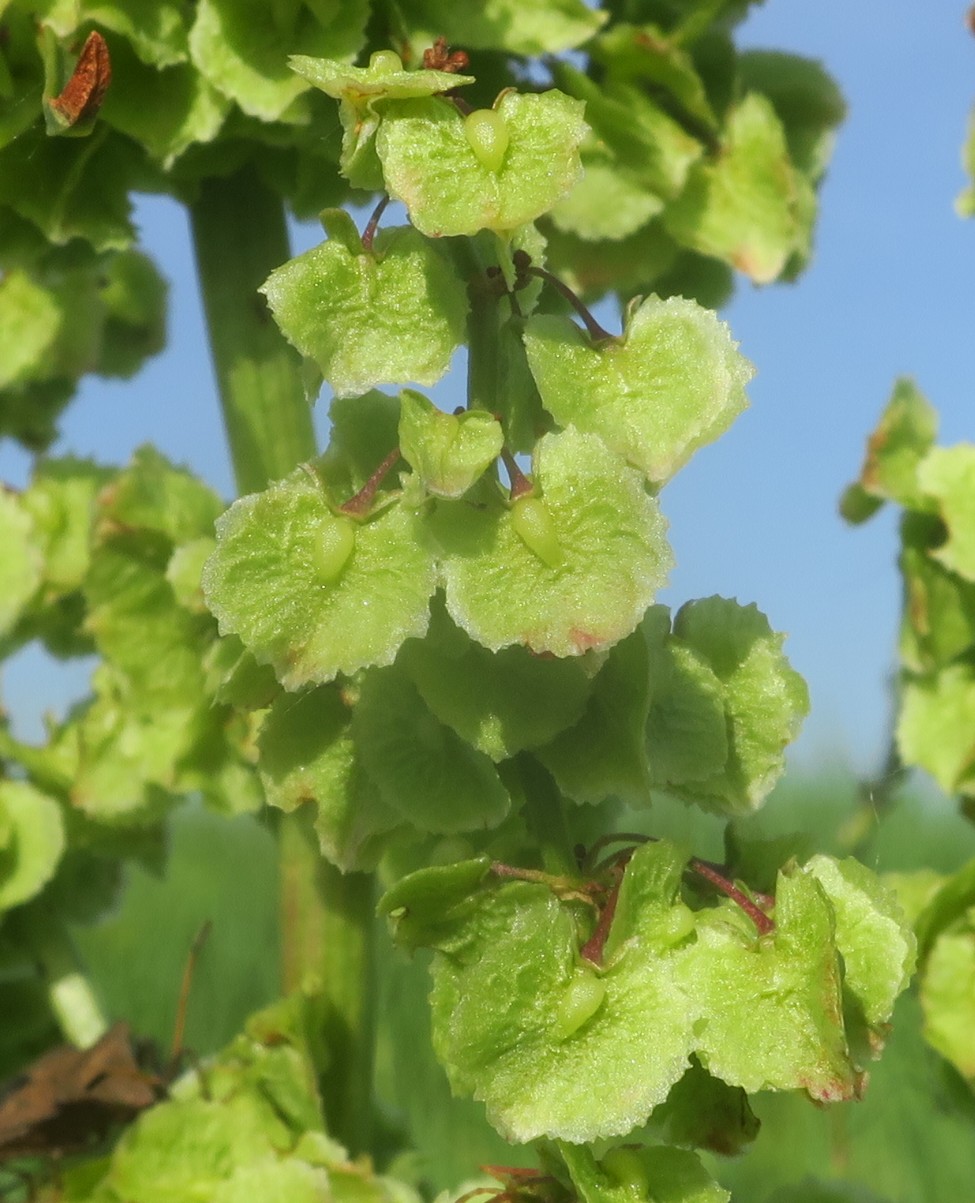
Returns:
(891,291)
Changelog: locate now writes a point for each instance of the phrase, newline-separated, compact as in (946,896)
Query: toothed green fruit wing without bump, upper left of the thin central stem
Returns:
(392,315)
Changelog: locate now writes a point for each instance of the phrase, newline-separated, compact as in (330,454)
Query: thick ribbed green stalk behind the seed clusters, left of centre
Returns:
(240,236)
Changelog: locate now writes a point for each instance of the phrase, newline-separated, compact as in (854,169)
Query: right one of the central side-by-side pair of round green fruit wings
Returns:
(611,538)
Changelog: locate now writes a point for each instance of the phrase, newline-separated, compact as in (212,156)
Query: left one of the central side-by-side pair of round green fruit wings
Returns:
(273,582)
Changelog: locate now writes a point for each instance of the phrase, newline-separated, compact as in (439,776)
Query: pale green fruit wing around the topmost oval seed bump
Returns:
(430,165)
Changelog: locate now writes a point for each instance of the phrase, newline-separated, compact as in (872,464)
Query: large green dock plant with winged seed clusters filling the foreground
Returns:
(436,647)
